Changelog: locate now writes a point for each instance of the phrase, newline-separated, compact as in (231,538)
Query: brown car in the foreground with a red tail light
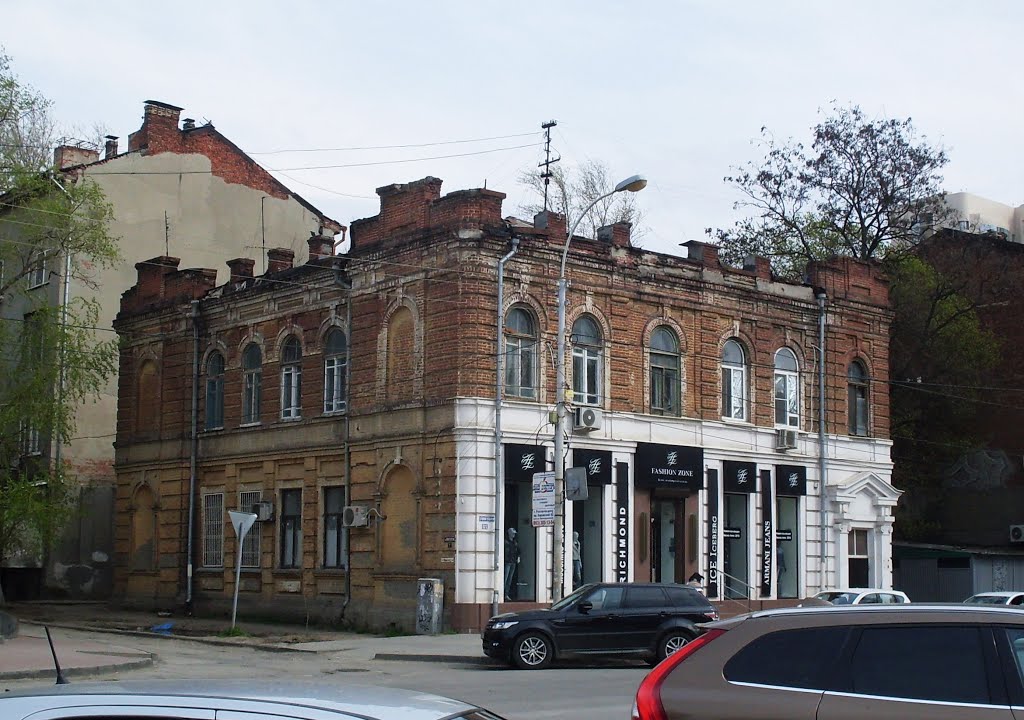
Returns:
(909,662)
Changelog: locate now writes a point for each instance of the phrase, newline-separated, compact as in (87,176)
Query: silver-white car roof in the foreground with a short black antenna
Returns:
(250,699)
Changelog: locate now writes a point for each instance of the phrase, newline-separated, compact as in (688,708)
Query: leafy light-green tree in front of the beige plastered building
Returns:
(52,227)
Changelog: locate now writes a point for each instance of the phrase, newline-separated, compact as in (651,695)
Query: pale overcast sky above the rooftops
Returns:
(673,91)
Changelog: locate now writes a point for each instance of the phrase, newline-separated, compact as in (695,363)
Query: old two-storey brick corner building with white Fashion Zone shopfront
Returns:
(369,382)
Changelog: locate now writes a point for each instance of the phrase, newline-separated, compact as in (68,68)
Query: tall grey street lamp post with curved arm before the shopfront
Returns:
(634,184)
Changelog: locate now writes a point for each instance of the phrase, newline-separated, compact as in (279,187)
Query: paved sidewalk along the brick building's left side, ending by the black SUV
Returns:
(28,656)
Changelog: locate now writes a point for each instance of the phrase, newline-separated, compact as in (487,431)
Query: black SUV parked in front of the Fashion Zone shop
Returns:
(621,619)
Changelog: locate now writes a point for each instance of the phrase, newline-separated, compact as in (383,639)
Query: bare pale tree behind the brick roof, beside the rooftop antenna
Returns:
(572,191)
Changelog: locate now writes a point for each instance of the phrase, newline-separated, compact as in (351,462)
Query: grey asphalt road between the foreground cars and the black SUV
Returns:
(570,692)
